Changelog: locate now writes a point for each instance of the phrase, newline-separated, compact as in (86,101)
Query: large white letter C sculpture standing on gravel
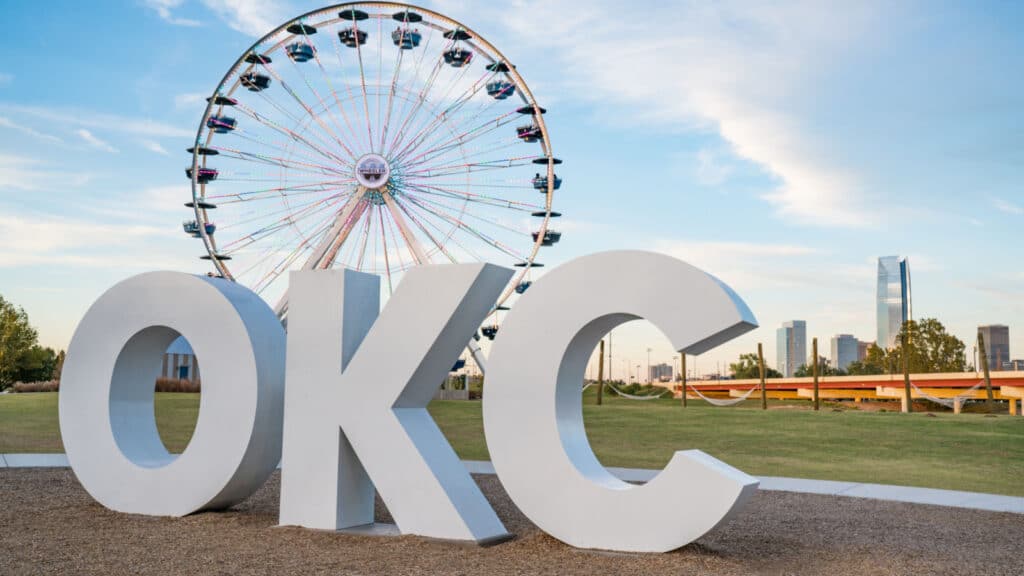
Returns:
(533,413)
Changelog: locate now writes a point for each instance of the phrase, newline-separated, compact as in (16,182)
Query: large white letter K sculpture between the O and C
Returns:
(356,403)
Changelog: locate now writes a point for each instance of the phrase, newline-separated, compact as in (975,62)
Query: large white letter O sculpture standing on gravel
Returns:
(107,393)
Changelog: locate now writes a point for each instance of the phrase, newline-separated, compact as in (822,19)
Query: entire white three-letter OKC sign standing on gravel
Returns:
(353,418)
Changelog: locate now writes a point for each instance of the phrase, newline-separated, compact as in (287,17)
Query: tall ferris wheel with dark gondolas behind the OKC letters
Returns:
(375,137)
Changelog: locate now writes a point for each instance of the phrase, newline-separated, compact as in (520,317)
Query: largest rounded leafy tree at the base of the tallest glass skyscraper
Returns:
(929,348)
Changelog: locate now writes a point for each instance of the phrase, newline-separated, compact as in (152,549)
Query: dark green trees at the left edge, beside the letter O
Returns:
(22,359)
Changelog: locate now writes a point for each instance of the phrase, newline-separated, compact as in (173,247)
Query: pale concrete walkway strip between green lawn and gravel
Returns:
(953,499)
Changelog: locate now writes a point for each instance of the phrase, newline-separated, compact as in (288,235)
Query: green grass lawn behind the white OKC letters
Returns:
(962,452)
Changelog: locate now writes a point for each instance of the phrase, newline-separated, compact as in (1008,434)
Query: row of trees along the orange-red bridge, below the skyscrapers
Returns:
(926,345)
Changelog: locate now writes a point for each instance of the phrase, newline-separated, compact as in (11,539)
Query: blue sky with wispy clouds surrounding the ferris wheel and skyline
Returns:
(782,147)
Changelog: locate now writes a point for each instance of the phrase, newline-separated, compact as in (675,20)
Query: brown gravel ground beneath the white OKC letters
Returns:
(49,525)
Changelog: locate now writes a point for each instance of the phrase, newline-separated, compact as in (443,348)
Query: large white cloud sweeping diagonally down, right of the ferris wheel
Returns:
(738,69)
